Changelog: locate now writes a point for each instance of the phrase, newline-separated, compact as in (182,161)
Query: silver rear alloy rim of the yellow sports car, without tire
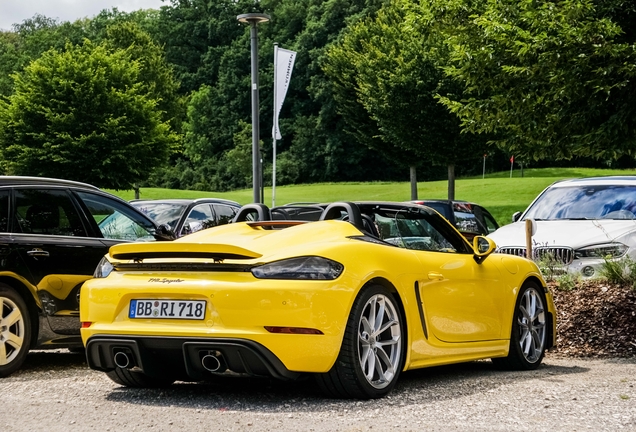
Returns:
(379,336)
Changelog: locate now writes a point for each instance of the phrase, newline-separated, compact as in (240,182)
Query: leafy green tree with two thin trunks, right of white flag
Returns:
(391,67)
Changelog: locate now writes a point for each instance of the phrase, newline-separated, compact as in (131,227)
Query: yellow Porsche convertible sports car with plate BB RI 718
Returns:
(367,291)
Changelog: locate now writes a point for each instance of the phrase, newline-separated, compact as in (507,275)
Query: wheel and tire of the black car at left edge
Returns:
(15,330)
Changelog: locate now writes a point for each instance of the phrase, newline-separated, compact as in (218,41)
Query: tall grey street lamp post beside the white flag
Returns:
(253,19)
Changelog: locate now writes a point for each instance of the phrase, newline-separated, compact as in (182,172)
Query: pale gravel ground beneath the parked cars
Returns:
(55,391)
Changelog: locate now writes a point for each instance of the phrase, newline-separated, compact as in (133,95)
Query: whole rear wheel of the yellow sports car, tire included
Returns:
(366,349)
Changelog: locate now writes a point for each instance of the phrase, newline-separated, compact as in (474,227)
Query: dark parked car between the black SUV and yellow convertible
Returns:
(186,216)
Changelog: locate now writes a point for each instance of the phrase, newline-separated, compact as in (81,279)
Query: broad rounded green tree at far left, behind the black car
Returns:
(83,114)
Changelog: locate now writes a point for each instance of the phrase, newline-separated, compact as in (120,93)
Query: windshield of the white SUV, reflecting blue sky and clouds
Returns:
(585,202)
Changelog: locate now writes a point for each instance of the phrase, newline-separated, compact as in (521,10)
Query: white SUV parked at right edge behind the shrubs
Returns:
(580,223)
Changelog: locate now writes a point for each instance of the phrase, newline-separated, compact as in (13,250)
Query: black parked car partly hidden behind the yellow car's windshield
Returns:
(469,218)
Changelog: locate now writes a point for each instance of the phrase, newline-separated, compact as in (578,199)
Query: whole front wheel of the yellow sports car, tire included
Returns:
(529,330)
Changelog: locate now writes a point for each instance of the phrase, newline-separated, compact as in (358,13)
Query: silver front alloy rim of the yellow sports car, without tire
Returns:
(532,325)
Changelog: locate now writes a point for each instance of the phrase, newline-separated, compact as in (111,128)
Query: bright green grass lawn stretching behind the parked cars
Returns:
(499,193)
